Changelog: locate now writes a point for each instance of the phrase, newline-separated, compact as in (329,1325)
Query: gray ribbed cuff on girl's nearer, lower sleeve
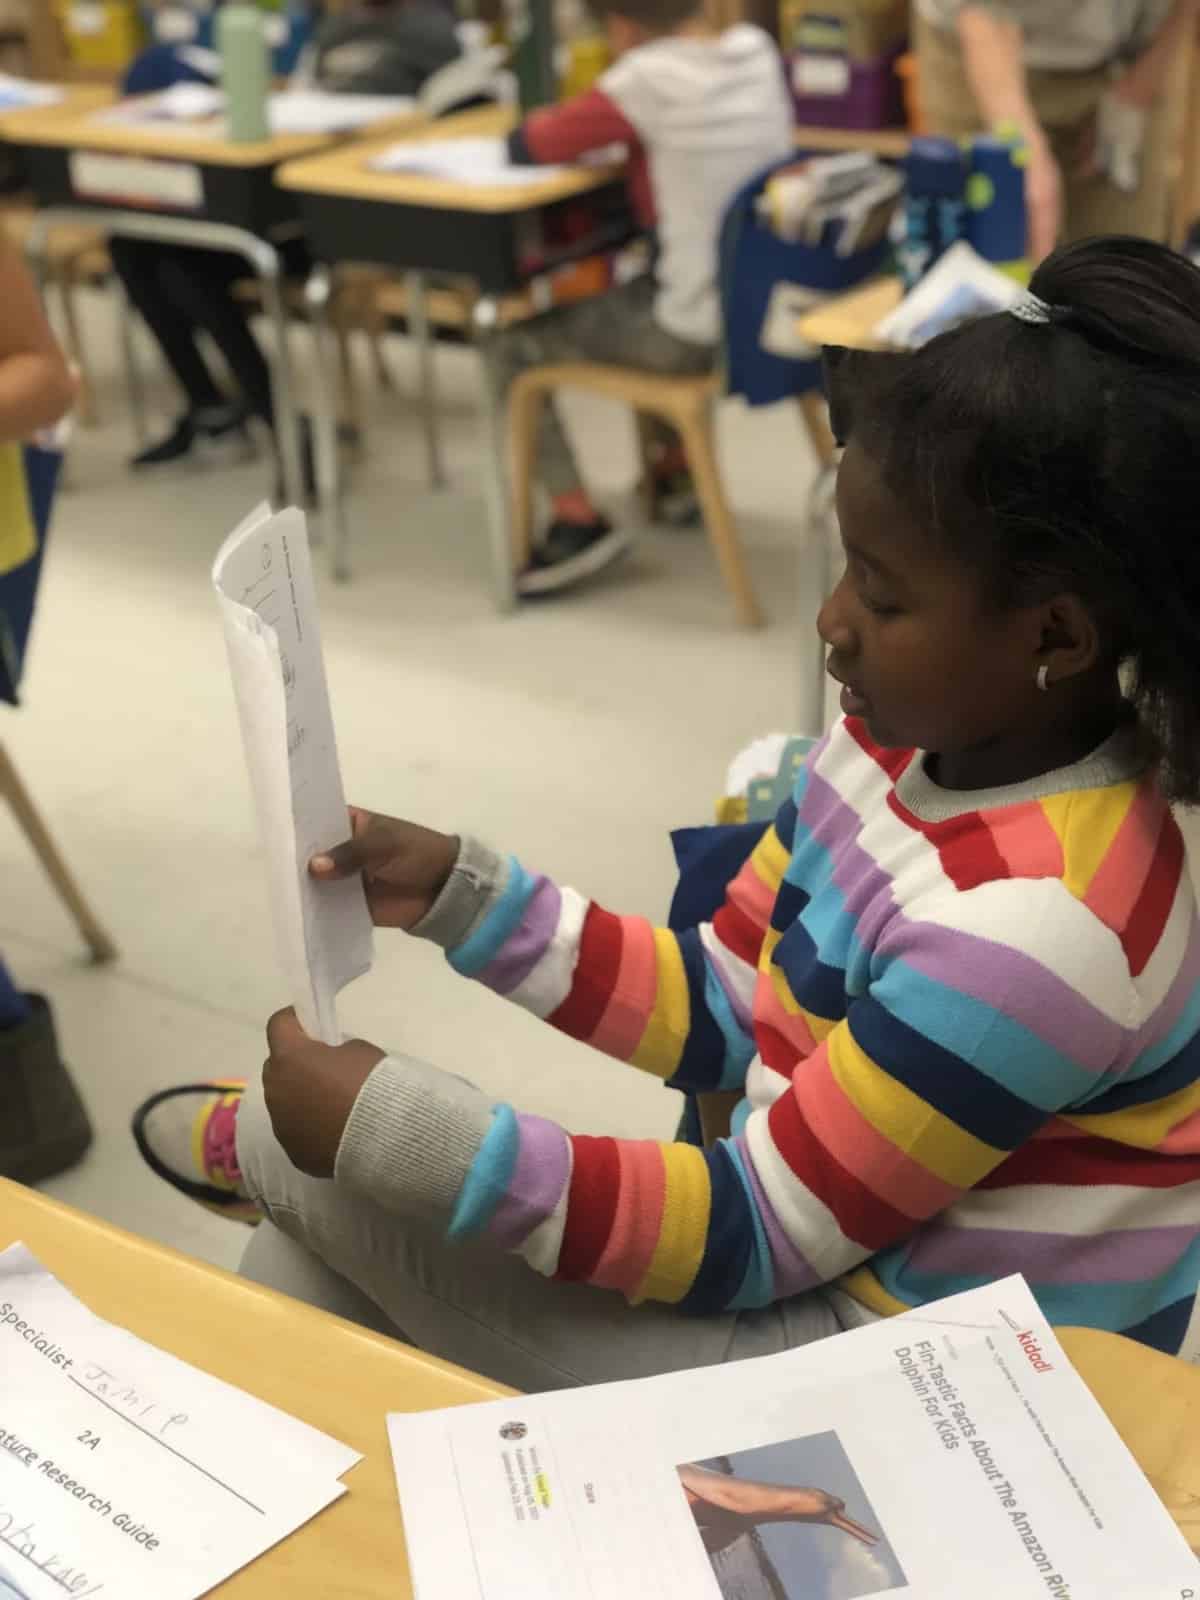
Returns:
(412,1138)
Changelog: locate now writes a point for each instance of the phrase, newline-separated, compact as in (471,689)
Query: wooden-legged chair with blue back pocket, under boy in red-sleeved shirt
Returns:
(754,263)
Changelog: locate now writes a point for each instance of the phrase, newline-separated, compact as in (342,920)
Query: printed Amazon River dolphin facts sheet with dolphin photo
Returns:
(948,1452)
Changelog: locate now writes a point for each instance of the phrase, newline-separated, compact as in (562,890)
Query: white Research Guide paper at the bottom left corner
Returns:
(124,1471)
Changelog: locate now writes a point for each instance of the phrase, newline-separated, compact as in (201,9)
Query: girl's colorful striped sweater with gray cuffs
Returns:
(967,1033)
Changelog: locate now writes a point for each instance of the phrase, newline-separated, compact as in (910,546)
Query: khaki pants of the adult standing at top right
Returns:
(1065,105)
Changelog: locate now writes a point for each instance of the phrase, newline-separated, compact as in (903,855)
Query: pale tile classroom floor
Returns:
(575,734)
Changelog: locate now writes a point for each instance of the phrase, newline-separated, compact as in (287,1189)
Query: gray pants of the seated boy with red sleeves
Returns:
(618,329)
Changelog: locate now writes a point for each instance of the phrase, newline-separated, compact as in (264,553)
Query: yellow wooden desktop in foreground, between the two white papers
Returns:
(324,1370)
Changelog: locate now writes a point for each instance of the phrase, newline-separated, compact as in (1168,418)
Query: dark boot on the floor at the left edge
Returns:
(44,1126)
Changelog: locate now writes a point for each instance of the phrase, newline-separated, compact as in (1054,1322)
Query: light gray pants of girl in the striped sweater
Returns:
(476,1306)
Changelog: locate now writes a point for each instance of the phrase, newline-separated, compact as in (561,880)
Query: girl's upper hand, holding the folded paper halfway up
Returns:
(404,866)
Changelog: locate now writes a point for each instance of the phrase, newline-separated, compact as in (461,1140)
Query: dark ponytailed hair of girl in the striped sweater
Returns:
(1065,457)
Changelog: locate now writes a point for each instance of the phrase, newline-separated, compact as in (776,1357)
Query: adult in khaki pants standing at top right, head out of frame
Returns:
(1097,89)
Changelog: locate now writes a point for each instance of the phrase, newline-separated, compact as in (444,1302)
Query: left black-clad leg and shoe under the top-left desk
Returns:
(145,266)
